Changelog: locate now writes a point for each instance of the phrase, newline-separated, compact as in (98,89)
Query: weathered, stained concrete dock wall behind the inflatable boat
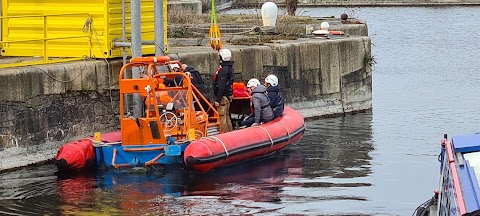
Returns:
(43,107)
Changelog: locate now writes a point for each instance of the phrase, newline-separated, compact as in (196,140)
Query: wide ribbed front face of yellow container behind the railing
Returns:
(63,19)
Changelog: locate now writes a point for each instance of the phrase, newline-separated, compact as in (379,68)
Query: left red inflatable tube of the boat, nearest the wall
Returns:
(80,154)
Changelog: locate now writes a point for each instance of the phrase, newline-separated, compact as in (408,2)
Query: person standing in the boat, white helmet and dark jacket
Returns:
(222,88)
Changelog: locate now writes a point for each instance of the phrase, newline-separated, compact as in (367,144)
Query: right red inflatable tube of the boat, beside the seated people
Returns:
(215,151)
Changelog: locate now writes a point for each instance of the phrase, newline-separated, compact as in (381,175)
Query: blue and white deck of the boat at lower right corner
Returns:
(467,157)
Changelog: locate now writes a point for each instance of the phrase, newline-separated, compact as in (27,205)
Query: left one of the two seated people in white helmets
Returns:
(262,112)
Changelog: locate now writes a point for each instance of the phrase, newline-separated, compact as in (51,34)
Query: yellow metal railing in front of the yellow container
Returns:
(46,58)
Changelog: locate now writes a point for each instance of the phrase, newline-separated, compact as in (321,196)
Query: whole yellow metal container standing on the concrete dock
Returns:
(64,25)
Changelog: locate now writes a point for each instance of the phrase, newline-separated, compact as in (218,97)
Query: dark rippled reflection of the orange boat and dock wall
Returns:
(327,167)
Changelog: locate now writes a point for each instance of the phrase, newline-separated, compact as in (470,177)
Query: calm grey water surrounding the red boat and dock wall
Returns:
(379,163)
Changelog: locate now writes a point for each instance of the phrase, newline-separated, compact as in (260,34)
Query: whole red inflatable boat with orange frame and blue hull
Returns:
(183,129)
